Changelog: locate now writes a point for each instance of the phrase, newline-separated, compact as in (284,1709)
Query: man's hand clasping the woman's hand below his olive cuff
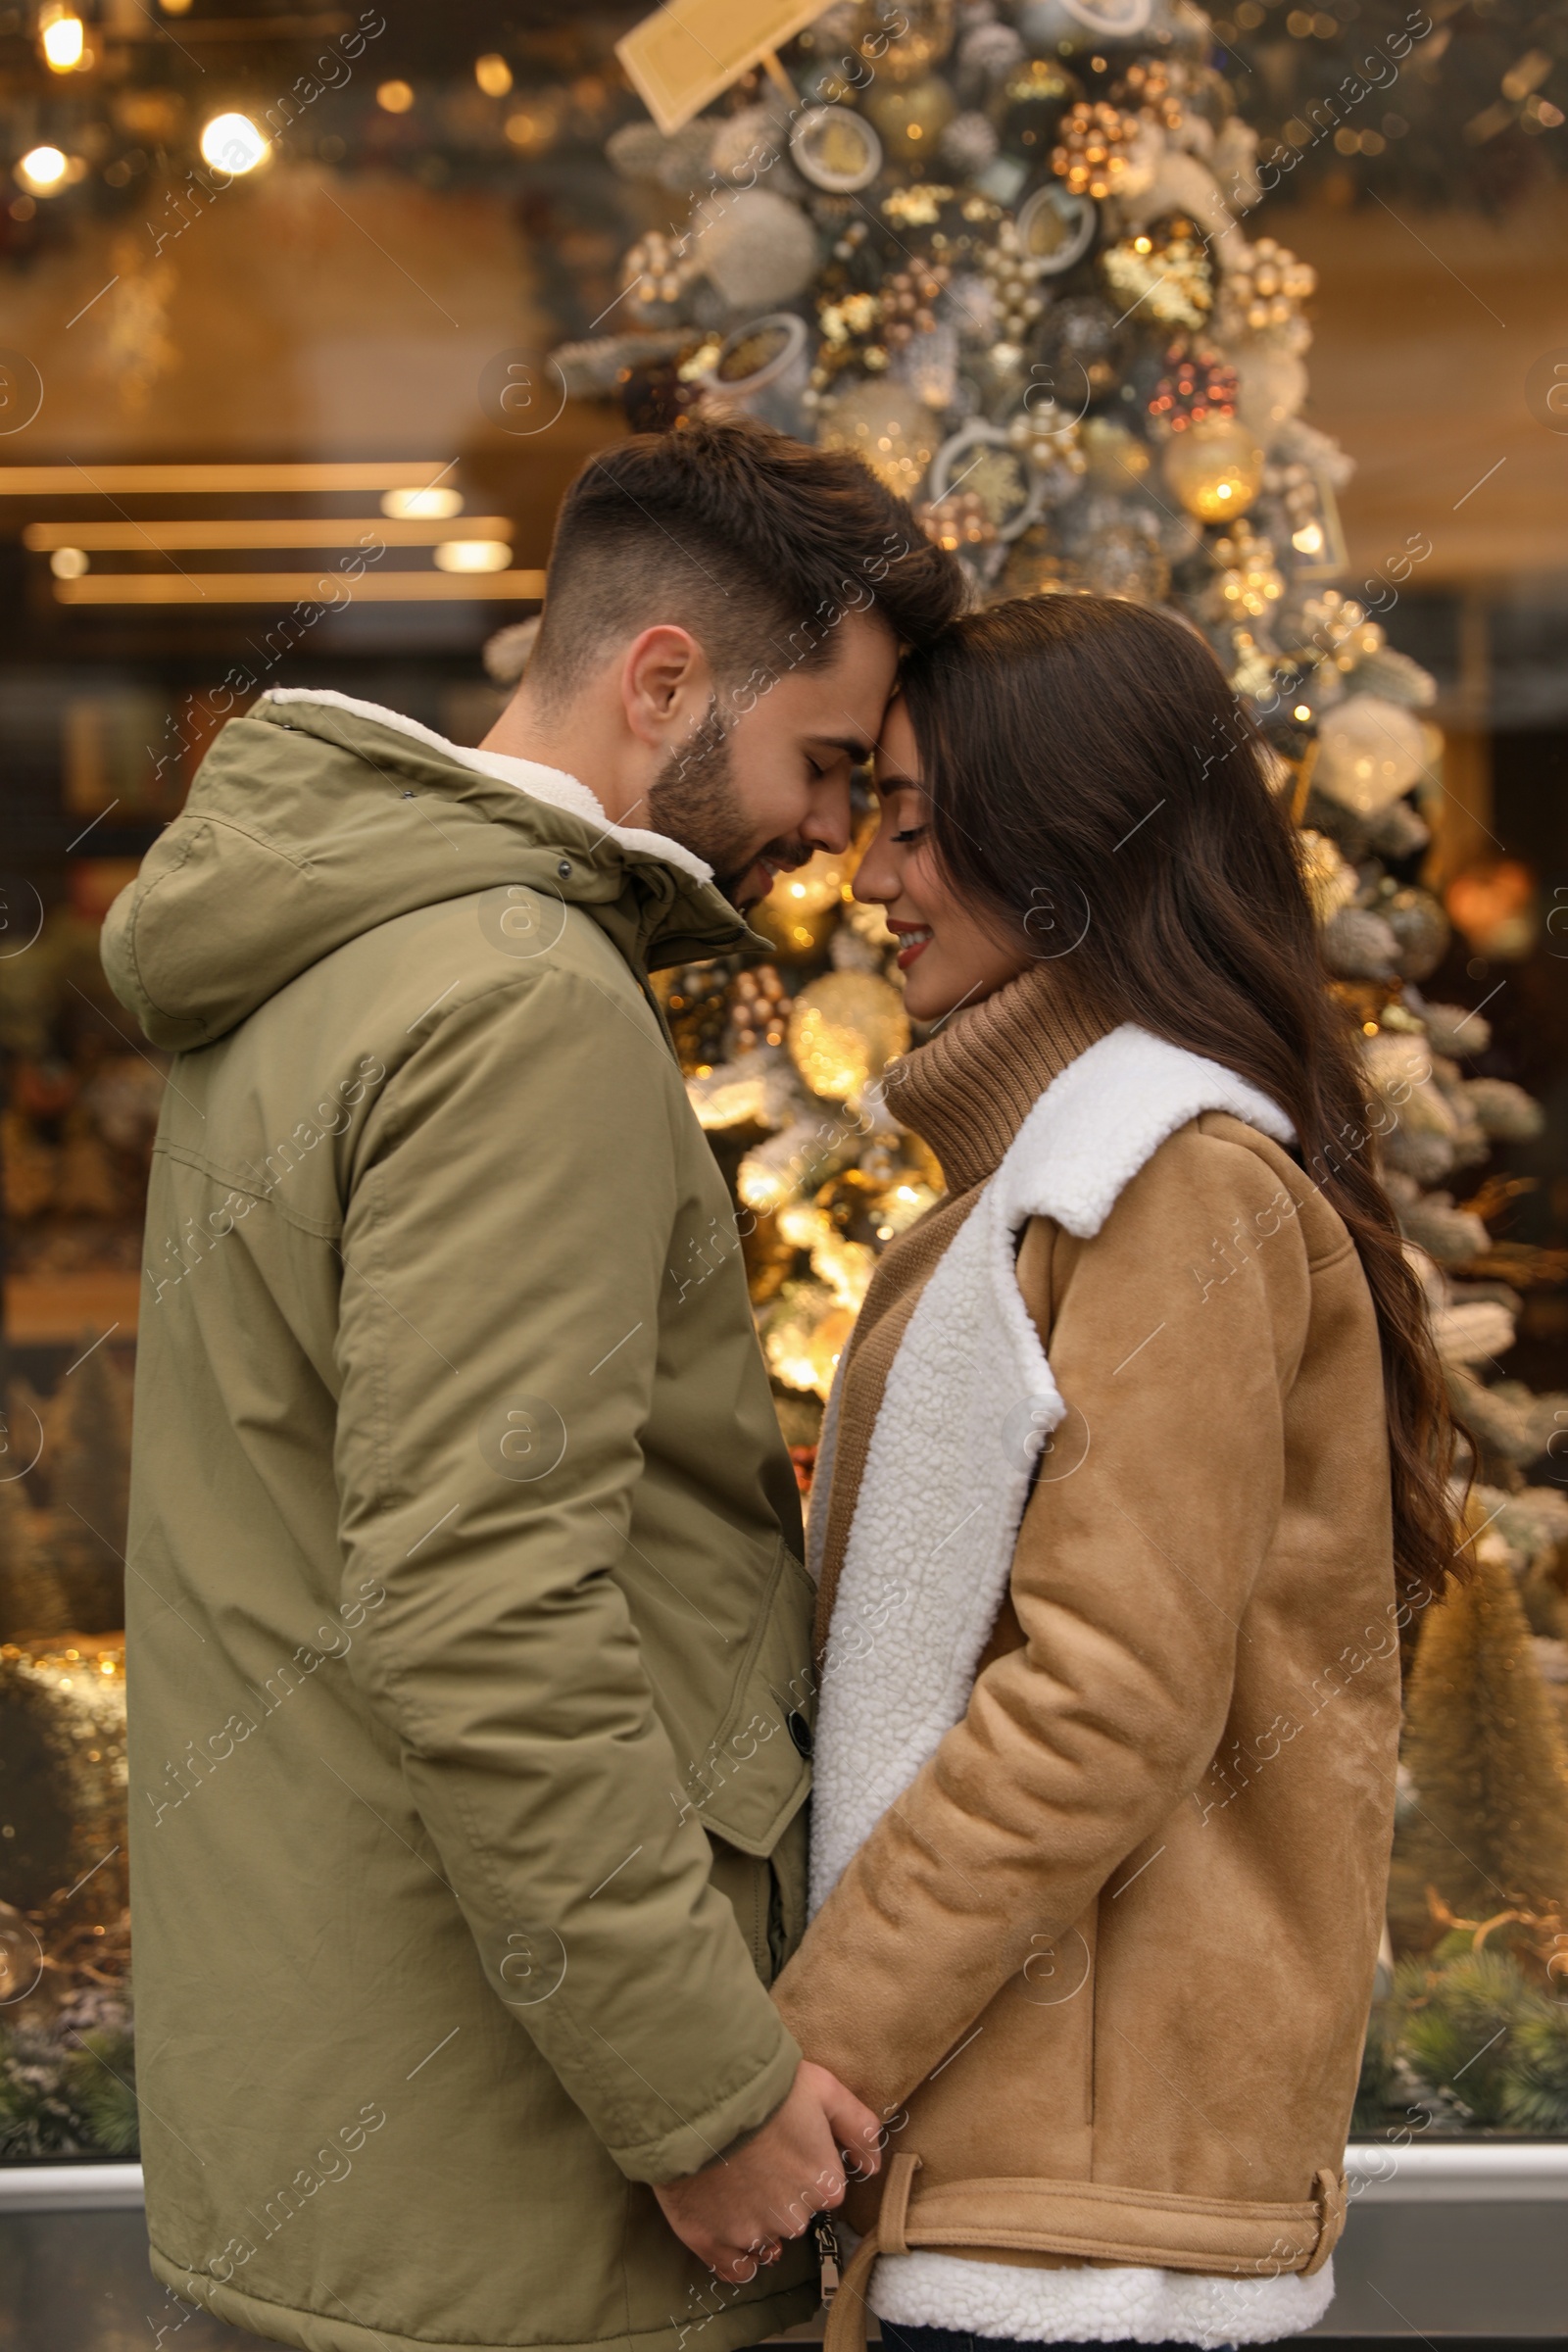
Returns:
(737,2210)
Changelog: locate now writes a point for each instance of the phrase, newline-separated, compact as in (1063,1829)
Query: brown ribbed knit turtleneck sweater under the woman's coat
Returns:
(967,1093)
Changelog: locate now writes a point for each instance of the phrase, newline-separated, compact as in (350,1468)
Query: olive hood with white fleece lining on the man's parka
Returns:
(319,817)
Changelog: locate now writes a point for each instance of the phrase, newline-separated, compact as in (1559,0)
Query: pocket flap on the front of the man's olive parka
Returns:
(756,1772)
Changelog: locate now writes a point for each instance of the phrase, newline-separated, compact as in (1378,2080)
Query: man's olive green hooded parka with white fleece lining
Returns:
(469,1643)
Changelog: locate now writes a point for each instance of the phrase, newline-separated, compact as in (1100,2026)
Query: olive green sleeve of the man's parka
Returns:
(504,1252)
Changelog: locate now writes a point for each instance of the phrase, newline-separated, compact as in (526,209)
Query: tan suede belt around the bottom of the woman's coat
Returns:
(1092,2221)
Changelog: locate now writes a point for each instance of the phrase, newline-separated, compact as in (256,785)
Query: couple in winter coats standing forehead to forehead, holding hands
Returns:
(1054,1991)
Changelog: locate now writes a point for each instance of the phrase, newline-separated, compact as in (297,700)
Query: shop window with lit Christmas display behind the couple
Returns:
(1245,316)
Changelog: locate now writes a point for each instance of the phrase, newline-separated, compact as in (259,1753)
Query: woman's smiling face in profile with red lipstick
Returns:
(949,954)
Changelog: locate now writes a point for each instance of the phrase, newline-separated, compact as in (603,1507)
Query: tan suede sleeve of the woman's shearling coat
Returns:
(1130,1579)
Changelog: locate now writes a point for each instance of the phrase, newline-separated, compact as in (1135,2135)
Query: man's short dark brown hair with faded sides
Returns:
(753,542)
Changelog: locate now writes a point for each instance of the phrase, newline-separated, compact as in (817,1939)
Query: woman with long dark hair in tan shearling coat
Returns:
(1134,1476)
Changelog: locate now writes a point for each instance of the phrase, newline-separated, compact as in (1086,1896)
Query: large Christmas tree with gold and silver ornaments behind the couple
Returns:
(1014,258)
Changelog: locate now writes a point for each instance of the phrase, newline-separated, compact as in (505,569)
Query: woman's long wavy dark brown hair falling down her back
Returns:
(1094,780)
